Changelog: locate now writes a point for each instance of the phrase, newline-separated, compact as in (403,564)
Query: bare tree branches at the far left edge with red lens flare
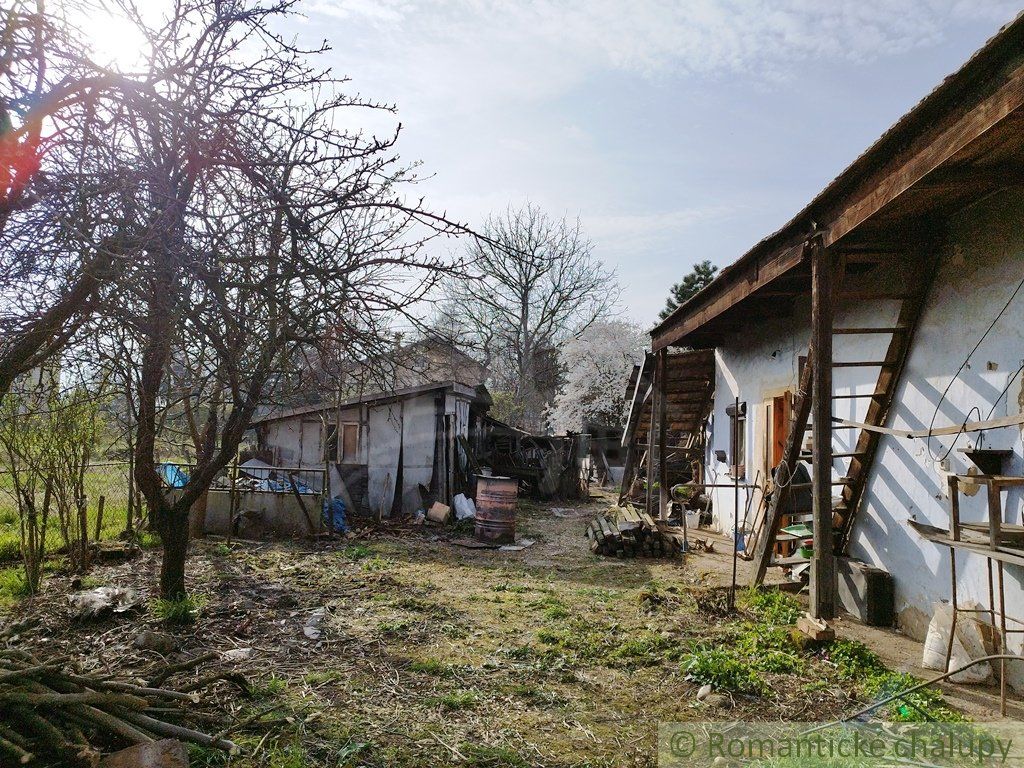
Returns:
(61,233)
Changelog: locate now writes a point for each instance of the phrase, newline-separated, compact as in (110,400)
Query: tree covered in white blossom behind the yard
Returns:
(595,369)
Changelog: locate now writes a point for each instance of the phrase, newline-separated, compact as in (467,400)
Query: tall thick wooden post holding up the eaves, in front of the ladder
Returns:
(824,585)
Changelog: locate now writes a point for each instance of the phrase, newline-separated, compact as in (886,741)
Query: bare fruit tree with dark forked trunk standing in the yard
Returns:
(264,225)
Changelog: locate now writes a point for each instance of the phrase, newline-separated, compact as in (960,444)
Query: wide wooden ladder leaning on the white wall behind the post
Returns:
(863,457)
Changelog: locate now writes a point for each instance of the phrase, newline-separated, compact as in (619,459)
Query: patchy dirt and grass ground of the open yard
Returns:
(403,649)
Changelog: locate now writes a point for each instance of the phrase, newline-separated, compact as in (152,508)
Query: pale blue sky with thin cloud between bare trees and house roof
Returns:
(676,132)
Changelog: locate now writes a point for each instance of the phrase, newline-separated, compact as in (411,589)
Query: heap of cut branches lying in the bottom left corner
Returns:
(51,715)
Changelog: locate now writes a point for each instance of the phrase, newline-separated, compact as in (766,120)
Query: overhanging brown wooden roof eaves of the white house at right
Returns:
(962,143)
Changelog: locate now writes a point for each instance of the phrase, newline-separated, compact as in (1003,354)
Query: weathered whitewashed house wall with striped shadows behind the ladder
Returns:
(980,268)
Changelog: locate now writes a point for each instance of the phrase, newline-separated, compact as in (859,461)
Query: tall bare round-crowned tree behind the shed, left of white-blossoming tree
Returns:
(534,284)
